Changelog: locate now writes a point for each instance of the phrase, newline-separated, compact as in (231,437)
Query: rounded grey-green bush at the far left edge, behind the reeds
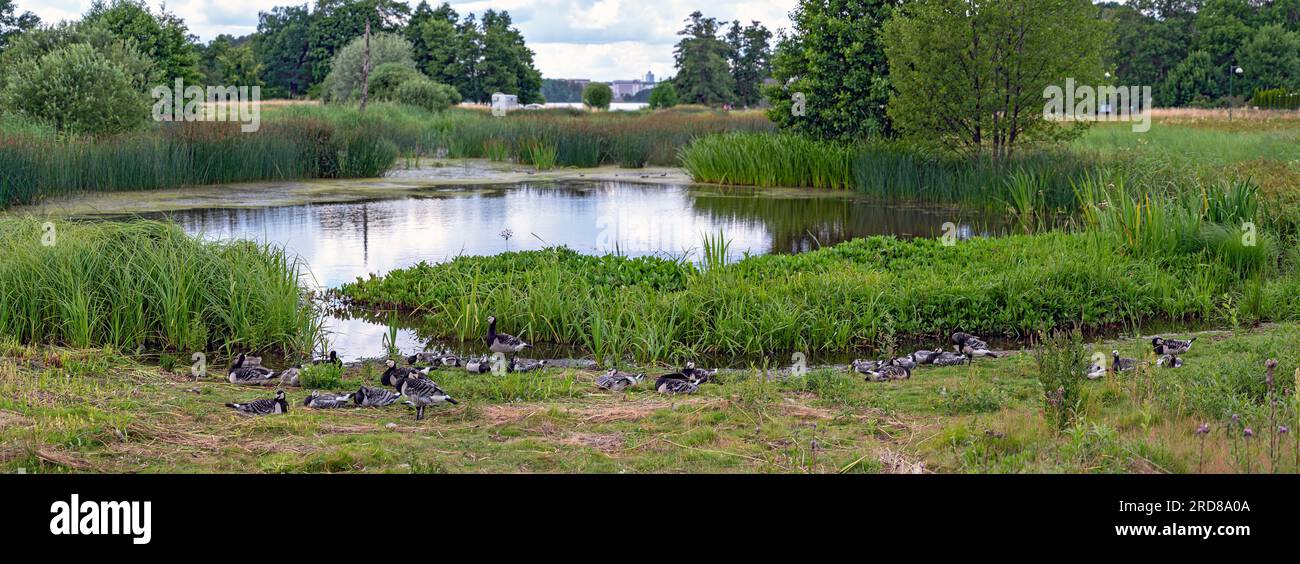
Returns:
(76,90)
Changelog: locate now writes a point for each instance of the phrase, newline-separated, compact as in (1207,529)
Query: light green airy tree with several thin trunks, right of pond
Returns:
(959,83)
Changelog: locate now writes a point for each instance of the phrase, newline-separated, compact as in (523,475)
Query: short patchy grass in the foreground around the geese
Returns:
(93,411)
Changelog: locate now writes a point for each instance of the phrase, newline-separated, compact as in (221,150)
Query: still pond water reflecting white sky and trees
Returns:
(345,241)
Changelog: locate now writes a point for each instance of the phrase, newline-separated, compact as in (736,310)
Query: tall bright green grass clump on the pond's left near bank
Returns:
(148,288)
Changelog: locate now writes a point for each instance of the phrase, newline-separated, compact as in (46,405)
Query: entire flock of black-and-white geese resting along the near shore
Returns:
(413,381)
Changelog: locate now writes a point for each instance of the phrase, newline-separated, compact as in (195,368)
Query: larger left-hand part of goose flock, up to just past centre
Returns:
(413,381)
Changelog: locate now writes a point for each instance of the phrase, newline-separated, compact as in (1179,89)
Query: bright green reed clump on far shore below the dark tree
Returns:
(770,160)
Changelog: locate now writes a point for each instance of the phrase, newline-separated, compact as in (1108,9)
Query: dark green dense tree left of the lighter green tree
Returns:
(833,70)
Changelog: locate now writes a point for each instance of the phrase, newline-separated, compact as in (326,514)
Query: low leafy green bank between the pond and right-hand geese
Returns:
(863,294)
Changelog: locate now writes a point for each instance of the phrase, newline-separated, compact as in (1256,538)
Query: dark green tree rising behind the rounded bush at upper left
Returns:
(162,37)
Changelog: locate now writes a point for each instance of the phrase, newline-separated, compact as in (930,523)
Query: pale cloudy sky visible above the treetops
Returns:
(597,40)
